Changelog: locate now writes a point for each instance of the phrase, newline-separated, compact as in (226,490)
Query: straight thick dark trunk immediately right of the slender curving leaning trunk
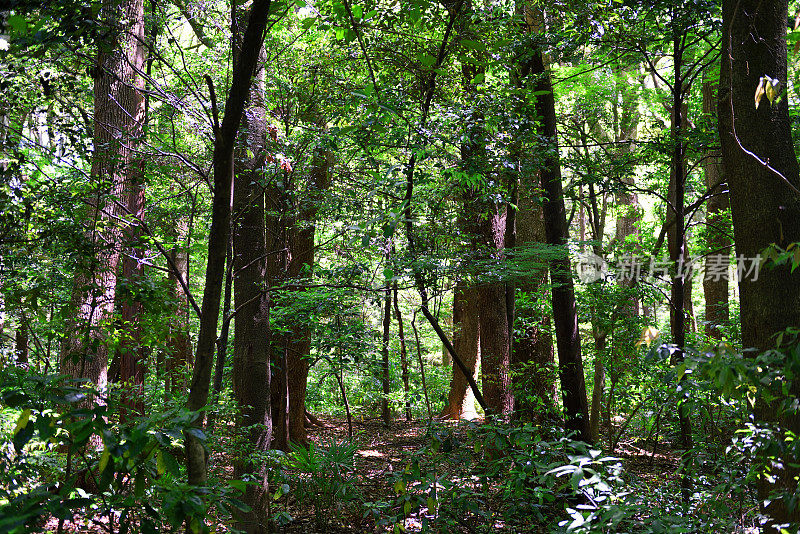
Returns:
(251,343)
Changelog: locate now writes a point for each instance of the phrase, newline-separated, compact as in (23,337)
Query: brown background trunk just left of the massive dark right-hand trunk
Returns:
(715,283)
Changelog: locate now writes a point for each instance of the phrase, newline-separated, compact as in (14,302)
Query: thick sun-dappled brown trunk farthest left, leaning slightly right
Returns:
(118,121)
